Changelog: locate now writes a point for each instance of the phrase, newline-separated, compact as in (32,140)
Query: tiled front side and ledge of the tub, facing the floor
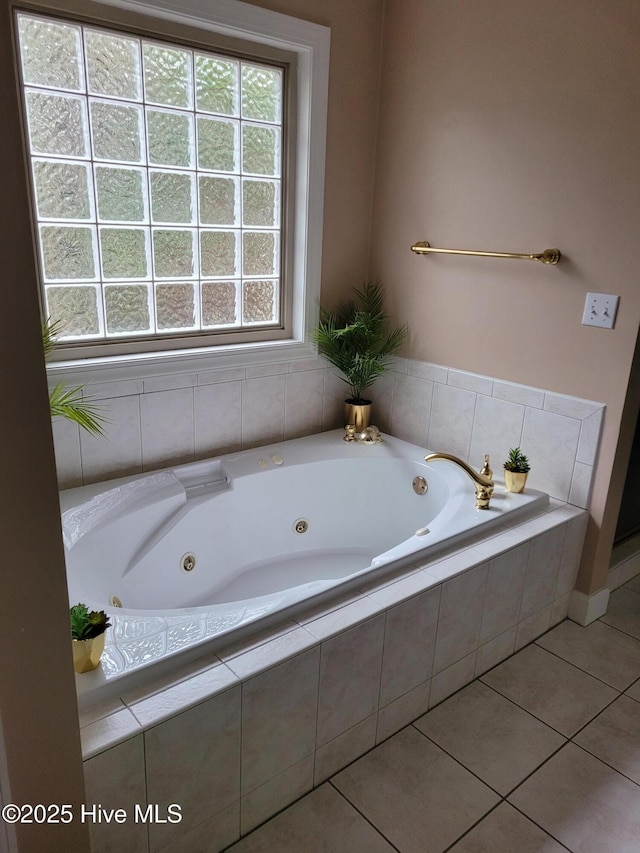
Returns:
(253,728)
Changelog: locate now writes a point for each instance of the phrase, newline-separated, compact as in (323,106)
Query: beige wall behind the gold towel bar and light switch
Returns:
(513,127)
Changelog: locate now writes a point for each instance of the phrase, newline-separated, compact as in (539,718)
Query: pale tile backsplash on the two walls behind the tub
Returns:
(168,420)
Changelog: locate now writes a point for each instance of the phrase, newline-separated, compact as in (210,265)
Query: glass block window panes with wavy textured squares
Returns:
(157,174)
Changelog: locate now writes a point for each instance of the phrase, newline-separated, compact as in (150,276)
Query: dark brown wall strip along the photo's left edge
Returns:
(37,690)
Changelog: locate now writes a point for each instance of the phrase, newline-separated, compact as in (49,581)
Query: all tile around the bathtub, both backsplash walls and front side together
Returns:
(244,733)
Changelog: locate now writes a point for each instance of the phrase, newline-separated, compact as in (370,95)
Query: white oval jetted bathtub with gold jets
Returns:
(201,553)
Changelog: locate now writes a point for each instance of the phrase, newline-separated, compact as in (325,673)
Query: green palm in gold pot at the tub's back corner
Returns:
(356,339)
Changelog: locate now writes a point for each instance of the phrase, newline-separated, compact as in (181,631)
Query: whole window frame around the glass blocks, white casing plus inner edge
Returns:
(264,32)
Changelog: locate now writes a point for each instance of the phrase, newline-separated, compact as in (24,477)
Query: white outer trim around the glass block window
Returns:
(310,43)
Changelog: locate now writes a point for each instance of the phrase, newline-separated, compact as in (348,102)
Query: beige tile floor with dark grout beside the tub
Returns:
(539,755)
